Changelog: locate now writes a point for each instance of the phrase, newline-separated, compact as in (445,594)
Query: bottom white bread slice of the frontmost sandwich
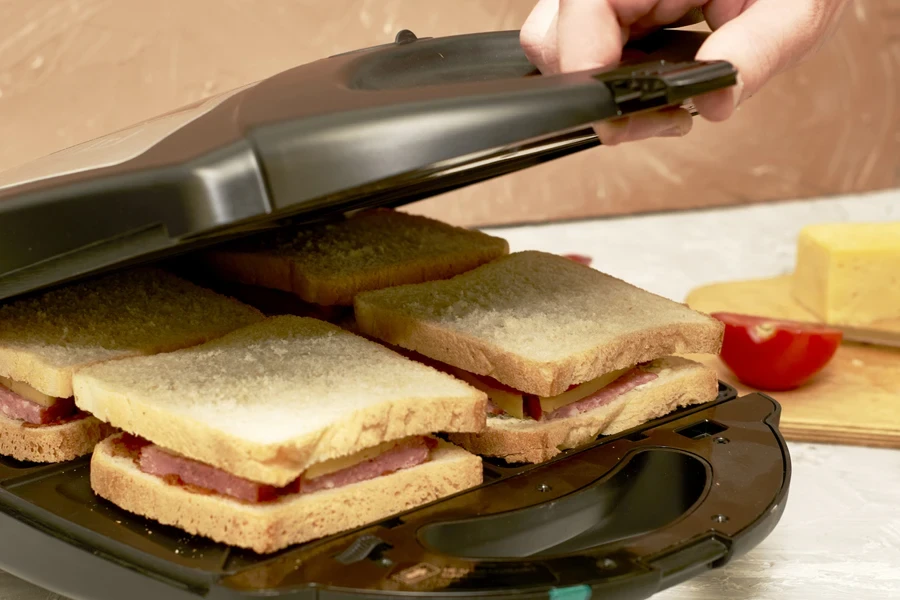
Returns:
(290,520)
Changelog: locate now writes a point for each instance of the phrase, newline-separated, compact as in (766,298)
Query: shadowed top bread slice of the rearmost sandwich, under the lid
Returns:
(330,263)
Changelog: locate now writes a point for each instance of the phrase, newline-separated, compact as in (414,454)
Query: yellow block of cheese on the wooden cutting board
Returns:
(849,273)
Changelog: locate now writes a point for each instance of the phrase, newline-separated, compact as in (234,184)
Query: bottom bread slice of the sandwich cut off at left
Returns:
(51,443)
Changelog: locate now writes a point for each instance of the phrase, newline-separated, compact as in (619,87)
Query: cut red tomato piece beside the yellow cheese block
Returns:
(776,354)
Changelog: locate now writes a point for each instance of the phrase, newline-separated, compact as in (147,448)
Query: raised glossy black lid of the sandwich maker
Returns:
(376,127)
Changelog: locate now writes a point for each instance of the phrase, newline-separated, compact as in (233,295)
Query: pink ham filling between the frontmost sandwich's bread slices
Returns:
(155,460)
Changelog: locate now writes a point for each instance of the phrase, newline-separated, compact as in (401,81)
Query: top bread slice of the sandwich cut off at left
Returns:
(45,338)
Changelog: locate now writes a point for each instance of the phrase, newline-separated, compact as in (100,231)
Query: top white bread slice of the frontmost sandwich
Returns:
(267,401)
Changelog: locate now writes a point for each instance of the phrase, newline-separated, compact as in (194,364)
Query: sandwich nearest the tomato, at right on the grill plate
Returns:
(563,351)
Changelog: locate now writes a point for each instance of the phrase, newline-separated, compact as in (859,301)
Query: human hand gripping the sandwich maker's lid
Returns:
(760,38)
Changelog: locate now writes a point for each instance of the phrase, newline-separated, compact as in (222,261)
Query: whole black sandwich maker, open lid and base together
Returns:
(623,517)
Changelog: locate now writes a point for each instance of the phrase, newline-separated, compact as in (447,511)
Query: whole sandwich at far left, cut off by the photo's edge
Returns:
(46,338)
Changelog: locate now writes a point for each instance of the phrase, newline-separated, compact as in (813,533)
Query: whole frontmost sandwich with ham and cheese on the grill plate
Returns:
(278,433)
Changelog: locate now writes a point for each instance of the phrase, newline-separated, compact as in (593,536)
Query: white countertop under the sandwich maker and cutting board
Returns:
(840,534)
